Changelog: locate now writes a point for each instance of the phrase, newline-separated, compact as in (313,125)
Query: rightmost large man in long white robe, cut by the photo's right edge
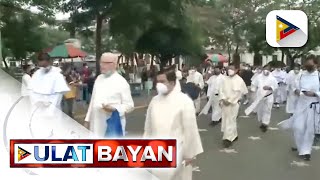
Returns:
(305,120)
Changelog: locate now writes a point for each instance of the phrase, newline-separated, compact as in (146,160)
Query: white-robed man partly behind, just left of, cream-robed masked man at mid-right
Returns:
(215,82)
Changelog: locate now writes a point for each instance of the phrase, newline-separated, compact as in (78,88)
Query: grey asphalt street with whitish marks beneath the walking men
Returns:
(255,156)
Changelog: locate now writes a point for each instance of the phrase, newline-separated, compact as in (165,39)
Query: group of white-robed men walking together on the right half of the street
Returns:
(299,89)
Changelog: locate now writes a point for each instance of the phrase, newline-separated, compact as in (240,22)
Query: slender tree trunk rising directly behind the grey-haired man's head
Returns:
(99,22)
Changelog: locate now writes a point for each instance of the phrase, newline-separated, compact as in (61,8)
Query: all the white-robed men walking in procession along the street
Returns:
(172,113)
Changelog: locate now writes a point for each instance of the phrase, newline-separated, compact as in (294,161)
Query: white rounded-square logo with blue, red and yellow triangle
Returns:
(286,28)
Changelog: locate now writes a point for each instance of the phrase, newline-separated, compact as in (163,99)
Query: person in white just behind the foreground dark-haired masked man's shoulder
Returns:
(196,78)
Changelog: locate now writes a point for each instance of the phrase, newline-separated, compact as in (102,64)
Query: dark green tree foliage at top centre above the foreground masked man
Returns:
(161,28)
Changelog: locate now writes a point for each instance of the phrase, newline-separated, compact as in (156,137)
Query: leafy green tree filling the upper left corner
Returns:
(21,28)
